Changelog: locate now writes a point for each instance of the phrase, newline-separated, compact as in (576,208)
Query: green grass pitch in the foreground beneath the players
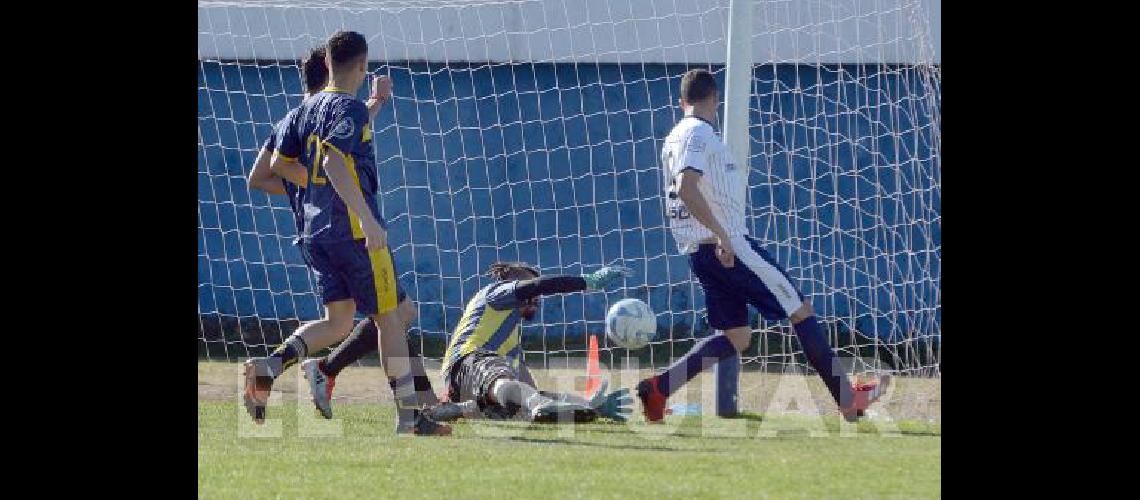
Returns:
(359,455)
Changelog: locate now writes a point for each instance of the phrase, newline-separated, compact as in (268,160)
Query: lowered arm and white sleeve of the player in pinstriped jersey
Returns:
(690,167)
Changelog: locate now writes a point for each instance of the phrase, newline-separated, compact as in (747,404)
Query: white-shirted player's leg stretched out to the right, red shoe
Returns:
(770,291)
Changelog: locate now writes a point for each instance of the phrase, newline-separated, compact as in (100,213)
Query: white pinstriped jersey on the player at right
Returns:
(695,145)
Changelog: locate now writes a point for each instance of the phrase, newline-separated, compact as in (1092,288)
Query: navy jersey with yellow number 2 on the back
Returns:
(332,122)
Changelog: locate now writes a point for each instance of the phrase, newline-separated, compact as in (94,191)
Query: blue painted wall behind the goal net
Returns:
(498,163)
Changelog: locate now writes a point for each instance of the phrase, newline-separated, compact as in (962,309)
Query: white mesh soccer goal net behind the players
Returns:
(531,130)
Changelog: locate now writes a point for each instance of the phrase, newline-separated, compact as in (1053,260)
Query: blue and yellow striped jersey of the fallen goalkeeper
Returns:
(490,323)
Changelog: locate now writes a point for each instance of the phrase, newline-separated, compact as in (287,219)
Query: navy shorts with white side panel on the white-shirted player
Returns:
(756,280)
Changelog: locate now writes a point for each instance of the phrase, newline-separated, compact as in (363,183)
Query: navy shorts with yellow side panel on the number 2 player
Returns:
(348,271)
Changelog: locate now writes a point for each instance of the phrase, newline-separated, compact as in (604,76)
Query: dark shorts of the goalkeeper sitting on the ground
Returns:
(473,378)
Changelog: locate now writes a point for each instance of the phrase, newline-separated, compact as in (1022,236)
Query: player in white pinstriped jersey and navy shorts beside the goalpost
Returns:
(706,193)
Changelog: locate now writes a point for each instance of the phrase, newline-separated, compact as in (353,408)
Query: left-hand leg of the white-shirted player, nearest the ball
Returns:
(729,318)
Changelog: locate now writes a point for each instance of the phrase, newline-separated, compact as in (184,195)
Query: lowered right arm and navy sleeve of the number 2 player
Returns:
(337,169)
